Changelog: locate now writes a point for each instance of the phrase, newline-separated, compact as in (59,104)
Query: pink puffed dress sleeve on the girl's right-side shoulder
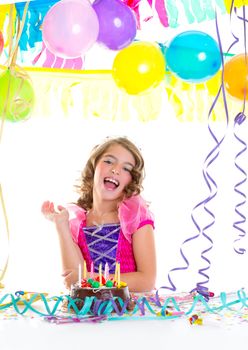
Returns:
(133,214)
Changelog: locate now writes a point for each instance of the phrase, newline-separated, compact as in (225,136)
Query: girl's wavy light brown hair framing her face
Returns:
(85,183)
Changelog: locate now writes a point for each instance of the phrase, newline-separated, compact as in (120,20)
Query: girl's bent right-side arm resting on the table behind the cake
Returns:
(145,257)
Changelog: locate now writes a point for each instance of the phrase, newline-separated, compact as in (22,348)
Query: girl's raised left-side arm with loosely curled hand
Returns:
(71,255)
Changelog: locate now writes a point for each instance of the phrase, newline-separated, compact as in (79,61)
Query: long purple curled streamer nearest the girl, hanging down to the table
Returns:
(203,230)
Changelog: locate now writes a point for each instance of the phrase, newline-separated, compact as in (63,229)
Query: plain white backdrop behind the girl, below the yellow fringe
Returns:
(42,158)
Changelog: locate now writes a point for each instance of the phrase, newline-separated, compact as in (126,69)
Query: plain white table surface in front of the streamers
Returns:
(33,332)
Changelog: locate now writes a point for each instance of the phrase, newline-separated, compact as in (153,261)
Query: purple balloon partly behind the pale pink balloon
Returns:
(117,23)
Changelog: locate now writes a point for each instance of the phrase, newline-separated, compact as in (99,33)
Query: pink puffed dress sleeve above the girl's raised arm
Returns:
(76,216)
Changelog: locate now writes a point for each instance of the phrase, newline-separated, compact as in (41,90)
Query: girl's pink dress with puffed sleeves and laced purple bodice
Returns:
(110,242)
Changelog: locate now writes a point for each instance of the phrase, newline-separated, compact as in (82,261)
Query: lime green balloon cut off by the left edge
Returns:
(16,96)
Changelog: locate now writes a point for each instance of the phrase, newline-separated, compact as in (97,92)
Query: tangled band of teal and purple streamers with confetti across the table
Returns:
(146,307)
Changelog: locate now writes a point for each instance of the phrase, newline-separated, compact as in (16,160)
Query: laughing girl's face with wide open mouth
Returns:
(113,172)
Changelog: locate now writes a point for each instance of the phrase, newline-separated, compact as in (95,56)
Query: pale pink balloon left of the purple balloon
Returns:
(70,28)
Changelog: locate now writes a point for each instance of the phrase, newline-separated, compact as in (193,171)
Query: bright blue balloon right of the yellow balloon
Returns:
(193,56)
